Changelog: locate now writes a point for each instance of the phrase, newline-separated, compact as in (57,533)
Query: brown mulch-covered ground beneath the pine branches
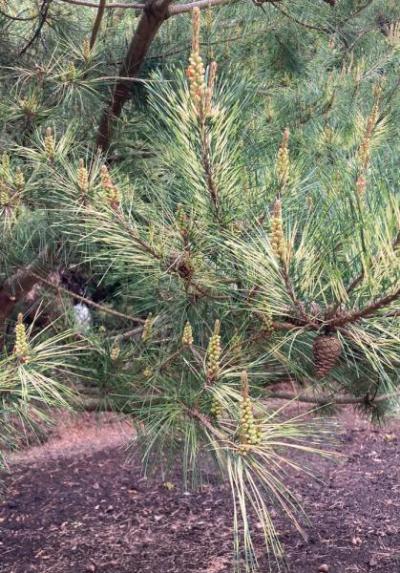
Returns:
(75,505)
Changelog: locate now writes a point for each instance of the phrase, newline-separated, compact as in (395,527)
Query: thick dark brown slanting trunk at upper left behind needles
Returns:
(153,16)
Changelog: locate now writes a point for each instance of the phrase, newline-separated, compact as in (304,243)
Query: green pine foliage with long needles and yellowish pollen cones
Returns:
(226,252)
